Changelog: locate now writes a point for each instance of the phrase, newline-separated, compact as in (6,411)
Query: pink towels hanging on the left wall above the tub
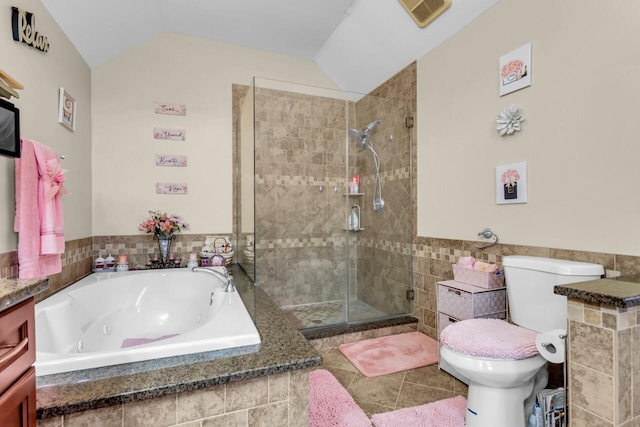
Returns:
(38,218)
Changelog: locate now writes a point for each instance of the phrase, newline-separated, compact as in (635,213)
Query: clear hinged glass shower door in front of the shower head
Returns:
(380,251)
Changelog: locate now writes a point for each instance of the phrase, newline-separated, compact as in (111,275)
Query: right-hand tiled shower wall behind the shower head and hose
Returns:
(384,247)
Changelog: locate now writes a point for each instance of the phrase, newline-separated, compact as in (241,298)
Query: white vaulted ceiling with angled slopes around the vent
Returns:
(357,43)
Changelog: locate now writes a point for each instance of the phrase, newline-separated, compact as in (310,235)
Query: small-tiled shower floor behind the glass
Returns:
(329,313)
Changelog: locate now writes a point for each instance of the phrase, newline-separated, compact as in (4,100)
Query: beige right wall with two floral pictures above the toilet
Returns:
(579,138)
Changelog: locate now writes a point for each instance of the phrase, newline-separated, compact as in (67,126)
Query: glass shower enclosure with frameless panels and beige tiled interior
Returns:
(324,202)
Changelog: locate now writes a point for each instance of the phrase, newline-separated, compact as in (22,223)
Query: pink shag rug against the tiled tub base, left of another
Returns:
(330,405)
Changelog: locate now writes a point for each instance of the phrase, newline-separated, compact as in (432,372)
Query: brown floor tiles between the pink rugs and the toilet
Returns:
(394,391)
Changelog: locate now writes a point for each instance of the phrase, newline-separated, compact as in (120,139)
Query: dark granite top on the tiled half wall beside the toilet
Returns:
(621,291)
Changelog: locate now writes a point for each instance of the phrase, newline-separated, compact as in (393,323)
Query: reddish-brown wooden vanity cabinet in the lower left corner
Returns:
(17,374)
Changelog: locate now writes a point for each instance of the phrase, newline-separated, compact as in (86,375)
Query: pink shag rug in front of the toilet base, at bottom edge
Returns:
(443,413)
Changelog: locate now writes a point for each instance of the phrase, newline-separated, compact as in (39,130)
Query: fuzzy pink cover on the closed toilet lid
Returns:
(490,338)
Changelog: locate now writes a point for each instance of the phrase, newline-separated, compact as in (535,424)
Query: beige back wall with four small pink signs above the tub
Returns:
(177,69)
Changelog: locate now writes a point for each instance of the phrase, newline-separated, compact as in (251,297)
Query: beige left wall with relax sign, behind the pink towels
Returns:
(42,74)
